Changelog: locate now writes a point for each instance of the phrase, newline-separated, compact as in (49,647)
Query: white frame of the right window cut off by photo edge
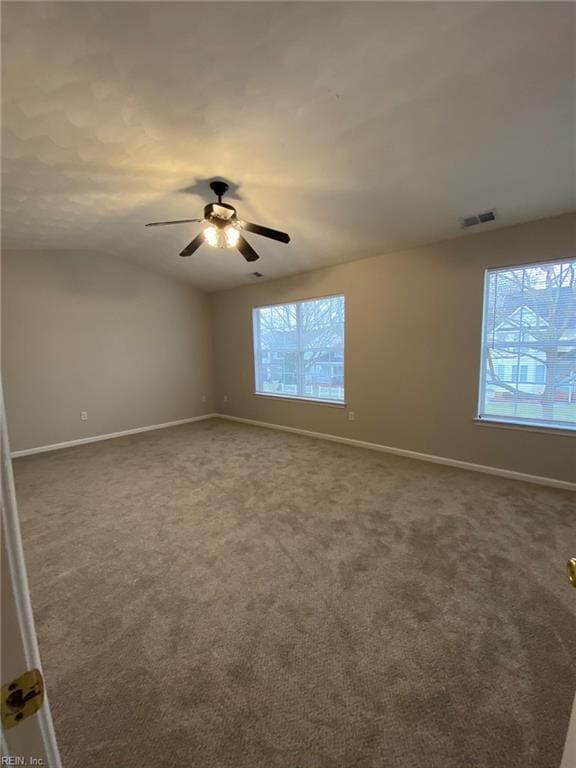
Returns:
(538,425)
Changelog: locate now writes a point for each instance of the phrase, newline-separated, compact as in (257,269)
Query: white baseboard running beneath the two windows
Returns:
(510,474)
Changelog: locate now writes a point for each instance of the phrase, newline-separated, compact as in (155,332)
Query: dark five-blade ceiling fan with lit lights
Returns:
(223,229)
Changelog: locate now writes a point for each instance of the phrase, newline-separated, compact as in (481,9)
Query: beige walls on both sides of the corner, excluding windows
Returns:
(134,348)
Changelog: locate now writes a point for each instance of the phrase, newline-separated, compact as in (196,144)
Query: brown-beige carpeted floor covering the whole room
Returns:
(223,596)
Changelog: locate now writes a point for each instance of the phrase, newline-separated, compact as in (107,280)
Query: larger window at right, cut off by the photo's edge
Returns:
(529,329)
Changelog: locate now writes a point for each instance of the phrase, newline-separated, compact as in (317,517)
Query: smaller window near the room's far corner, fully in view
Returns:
(299,349)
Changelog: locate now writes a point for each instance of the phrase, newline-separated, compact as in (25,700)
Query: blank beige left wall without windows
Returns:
(89,332)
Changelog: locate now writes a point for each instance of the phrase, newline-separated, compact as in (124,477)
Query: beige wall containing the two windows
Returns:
(413,332)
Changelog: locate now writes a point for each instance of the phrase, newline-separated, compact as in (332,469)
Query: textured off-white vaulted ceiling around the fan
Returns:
(357,127)
